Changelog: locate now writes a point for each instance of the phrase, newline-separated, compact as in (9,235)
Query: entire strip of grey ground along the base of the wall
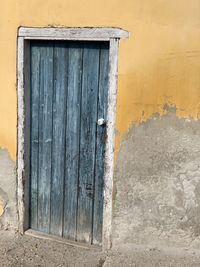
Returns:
(26,251)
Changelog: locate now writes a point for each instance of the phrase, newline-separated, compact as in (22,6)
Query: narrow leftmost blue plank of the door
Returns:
(35,80)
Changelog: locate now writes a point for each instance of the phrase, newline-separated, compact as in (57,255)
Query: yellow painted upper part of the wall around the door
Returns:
(159,64)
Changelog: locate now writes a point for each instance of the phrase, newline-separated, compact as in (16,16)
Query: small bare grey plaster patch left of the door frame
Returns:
(8,215)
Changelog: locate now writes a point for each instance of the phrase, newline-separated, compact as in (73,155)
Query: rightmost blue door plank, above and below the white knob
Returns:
(100,144)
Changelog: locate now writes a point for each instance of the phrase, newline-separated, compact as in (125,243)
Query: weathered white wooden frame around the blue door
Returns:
(90,34)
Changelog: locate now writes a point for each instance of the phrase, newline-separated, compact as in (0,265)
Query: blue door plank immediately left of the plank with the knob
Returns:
(87,141)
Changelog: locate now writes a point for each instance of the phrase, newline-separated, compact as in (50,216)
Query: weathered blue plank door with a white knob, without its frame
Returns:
(68,89)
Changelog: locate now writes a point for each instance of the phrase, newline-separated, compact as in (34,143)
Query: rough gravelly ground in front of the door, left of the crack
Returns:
(25,251)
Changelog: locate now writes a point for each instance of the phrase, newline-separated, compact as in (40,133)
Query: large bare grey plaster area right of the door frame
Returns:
(158,184)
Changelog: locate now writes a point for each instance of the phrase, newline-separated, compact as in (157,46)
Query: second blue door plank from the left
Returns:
(45,136)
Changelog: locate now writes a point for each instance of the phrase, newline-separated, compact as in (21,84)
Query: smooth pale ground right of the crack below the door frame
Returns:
(141,256)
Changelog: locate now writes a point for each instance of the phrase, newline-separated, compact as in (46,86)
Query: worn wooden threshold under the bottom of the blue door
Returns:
(61,240)
